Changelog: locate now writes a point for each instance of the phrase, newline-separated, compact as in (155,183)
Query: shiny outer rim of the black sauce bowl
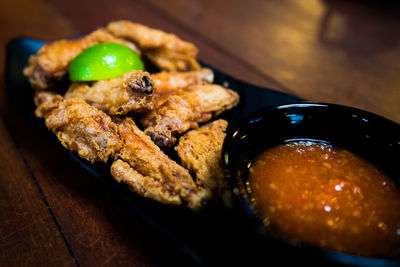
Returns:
(247,208)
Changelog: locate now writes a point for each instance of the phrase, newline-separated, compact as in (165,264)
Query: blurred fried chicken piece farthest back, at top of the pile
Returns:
(165,50)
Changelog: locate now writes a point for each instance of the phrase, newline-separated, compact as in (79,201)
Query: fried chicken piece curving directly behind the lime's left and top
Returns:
(51,62)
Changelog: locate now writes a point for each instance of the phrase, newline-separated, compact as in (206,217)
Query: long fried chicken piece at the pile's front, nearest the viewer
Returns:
(151,173)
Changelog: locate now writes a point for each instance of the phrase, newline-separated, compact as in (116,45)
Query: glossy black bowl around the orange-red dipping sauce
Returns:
(368,135)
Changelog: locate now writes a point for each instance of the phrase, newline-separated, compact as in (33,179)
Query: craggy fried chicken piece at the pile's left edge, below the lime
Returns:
(81,127)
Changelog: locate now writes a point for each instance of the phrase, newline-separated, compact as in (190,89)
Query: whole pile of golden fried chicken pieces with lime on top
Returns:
(134,120)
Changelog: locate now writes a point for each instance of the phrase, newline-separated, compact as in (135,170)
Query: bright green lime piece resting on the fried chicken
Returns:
(104,61)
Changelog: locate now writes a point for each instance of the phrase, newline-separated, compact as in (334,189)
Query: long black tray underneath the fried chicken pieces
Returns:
(212,236)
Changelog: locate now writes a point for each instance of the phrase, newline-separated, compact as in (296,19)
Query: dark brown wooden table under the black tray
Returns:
(53,213)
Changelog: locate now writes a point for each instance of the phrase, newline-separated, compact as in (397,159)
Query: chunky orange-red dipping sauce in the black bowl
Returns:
(315,193)
